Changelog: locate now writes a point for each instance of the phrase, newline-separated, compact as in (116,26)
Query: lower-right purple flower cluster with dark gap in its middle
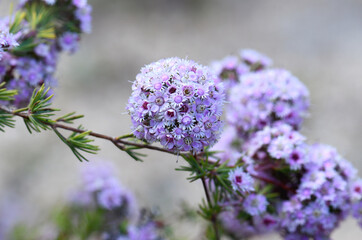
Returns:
(317,187)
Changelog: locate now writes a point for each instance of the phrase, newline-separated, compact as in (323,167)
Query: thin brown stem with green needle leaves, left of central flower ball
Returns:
(39,116)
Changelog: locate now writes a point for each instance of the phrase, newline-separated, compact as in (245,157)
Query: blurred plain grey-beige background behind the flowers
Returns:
(319,41)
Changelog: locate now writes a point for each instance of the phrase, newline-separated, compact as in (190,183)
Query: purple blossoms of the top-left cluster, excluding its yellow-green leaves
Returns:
(28,70)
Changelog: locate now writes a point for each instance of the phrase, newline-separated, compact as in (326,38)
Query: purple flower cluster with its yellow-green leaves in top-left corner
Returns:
(34,38)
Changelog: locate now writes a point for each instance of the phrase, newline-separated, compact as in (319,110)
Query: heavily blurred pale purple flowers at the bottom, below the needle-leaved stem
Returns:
(101,189)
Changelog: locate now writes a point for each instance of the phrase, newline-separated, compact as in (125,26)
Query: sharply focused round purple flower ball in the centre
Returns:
(178,103)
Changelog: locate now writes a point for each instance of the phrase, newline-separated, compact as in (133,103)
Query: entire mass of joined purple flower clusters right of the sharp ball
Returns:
(315,187)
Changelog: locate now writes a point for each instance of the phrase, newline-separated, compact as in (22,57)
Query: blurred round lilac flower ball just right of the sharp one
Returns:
(265,97)
